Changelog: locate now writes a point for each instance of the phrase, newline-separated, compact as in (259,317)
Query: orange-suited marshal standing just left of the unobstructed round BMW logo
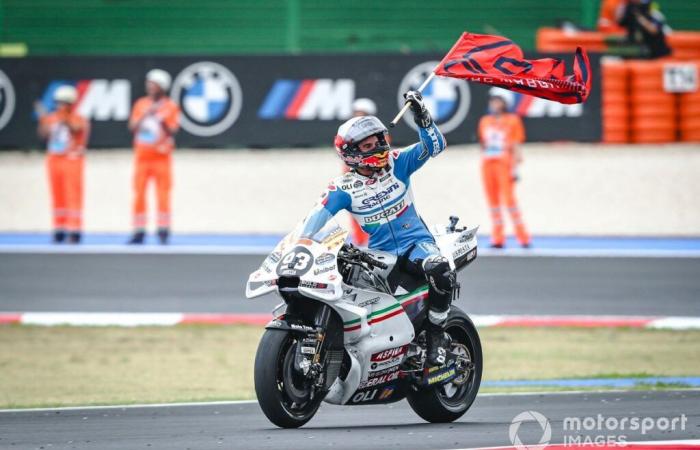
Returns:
(154,122)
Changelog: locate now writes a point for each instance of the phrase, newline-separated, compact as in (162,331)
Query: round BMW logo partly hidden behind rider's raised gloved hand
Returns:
(447,99)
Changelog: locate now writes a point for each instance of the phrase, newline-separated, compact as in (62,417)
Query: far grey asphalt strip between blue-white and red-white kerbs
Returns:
(215,283)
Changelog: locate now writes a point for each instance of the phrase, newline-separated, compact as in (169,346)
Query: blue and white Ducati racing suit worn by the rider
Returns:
(383,206)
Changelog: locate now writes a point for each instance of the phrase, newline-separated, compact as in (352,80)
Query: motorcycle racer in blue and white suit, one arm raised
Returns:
(377,193)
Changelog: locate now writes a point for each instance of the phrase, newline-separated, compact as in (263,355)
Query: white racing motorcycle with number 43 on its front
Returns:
(350,330)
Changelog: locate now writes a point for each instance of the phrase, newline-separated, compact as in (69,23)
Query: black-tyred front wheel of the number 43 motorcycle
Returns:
(284,395)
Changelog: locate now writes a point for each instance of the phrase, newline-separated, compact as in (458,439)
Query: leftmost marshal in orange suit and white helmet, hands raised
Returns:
(66,134)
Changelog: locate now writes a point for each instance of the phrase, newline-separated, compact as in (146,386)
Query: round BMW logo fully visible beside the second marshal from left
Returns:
(209,96)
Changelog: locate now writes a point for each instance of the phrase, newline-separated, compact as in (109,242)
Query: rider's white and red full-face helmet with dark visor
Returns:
(354,131)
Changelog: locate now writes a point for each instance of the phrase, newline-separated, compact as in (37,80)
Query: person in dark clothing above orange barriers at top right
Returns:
(645,27)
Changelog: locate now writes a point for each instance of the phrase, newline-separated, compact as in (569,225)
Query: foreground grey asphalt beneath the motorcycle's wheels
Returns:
(243,426)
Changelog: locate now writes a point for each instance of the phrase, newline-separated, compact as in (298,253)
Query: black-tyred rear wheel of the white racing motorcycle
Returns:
(449,402)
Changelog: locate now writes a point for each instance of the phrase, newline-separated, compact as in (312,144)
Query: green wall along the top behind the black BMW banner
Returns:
(172,27)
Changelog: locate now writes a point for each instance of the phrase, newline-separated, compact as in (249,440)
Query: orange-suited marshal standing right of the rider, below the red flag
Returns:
(500,133)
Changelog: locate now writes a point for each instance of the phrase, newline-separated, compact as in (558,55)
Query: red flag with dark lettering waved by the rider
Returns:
(497,61)
